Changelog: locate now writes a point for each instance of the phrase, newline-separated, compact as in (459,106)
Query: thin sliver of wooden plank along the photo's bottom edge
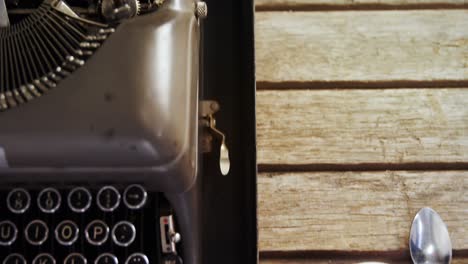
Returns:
(331,260)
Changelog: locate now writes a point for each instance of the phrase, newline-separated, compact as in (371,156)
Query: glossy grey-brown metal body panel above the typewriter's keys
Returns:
(132,109)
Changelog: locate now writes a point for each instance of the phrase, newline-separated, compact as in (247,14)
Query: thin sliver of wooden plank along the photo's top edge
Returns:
(353,3)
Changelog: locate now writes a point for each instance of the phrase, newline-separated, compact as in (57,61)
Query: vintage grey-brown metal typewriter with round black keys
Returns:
(103,134)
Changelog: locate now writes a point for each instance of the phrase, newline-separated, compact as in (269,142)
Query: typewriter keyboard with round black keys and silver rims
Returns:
(80,225)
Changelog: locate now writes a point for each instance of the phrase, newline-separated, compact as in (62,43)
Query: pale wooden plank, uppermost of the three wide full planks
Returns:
(362,46)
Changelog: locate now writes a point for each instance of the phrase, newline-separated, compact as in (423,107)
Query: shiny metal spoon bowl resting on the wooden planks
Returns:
(429,239)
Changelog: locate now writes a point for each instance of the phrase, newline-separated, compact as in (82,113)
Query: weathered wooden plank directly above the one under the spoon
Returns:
(384,126)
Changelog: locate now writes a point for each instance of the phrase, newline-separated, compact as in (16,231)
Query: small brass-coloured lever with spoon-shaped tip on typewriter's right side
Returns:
(207,111)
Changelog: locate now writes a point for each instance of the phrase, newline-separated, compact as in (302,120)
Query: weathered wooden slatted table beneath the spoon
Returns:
(362,121)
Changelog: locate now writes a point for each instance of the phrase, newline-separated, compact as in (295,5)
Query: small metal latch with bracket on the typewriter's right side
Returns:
(207,110)
